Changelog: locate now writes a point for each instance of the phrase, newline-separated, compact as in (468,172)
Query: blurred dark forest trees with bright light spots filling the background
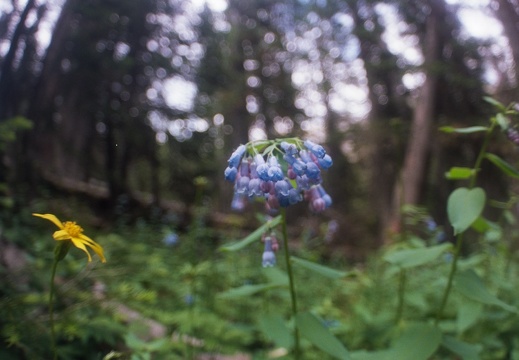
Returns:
(132,100)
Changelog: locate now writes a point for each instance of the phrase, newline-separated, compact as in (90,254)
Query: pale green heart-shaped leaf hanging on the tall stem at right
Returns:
(464,206)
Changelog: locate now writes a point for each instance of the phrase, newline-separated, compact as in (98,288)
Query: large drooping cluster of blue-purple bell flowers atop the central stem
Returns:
(282,172)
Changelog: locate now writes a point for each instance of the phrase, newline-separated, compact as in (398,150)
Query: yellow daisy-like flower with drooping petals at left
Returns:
(69,230)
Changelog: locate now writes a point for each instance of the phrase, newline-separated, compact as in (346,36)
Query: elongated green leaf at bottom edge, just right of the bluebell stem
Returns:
(311,328)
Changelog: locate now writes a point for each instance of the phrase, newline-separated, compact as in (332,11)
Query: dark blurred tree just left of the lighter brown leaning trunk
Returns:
(382,142)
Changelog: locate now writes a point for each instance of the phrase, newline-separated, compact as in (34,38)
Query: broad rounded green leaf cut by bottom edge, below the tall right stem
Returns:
(417,342)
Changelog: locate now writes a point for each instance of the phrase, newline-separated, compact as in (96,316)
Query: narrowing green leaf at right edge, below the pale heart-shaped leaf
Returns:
(469,284)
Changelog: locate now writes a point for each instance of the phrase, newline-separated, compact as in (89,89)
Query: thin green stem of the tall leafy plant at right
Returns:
(459,237)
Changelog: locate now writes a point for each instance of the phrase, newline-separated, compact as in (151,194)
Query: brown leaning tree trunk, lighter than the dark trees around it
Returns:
(419,141)
